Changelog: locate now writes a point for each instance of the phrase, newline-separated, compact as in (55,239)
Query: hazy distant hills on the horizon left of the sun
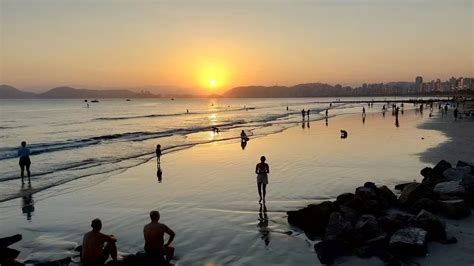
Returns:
(9,92)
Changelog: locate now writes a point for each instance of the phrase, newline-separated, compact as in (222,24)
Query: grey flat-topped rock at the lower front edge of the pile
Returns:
(409,241)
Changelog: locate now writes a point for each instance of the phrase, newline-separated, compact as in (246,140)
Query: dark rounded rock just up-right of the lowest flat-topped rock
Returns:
(432,224)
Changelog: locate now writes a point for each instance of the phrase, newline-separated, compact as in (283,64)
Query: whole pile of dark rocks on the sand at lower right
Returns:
(374,221)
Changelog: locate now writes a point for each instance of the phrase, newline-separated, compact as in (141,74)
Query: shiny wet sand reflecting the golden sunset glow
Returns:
(208,193)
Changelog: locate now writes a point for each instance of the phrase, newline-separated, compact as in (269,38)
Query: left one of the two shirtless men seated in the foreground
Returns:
(97,247)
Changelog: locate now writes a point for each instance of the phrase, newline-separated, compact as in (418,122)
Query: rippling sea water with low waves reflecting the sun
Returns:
(70,141)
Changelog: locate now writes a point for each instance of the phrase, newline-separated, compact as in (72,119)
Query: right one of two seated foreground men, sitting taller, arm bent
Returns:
(154,239)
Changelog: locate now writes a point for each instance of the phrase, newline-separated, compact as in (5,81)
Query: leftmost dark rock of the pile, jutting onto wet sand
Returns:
(312,219)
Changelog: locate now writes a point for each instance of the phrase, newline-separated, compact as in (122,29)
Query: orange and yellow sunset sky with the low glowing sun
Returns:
(218,44)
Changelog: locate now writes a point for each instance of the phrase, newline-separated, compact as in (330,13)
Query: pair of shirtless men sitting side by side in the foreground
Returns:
(97,247)
